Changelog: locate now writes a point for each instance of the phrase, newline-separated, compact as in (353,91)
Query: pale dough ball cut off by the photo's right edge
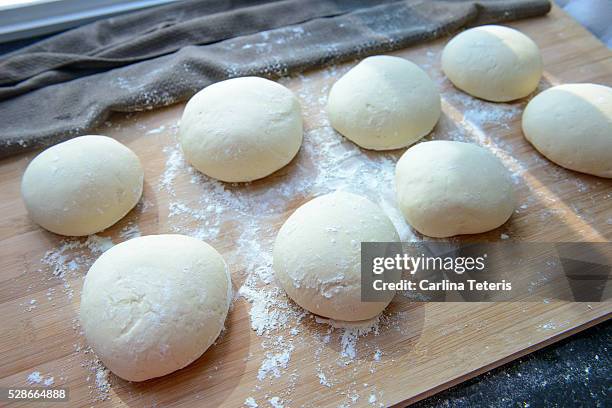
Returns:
(572,126)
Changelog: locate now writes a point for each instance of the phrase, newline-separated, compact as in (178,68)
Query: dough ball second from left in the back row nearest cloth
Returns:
(241,129)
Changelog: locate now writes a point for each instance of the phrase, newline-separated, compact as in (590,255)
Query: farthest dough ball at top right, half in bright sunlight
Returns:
(492,62)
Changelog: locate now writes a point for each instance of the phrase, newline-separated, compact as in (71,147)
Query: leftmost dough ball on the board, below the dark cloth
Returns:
(82,186)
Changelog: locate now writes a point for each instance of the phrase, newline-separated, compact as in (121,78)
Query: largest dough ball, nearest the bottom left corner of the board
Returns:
(154,304)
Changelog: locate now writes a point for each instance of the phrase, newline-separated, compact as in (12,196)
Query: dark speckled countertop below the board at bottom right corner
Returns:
(574,372)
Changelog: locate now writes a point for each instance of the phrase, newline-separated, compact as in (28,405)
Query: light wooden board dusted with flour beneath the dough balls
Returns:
(415,351)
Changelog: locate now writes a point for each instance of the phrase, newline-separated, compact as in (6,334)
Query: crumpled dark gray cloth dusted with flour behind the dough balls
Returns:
(66,85)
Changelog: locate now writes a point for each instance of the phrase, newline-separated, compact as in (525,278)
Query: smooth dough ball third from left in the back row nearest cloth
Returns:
(384,103)
